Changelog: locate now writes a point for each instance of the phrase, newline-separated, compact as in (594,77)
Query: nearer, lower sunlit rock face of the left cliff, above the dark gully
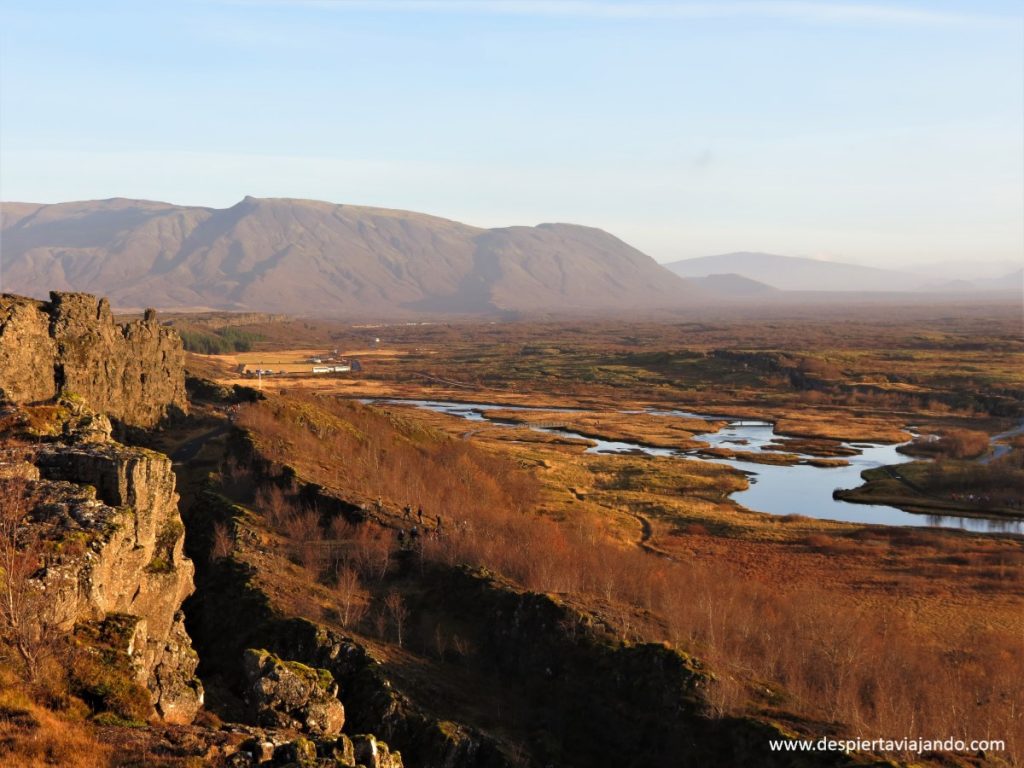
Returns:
(114,511)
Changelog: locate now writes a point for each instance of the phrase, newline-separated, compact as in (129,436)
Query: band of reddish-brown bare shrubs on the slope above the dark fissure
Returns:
(868,670)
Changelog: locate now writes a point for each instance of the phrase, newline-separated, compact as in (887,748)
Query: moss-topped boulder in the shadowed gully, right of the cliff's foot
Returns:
(289,695)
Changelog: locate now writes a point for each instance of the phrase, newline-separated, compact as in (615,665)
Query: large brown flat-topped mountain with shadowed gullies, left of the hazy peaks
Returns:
(310,258)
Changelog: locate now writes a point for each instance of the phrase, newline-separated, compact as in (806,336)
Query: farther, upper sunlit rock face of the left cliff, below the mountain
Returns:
(132,372)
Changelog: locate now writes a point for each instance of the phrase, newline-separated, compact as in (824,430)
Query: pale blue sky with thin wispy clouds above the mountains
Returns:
(887,134)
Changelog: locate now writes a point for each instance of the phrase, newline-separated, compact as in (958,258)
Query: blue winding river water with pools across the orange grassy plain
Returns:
(778,490)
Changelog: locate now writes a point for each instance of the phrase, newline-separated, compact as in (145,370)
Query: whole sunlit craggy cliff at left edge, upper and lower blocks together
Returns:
(105,516)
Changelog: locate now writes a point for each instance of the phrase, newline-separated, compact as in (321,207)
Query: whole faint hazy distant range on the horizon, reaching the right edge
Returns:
(797,274)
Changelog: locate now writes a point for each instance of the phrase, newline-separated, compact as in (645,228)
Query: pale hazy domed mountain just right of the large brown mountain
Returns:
(796,274)
